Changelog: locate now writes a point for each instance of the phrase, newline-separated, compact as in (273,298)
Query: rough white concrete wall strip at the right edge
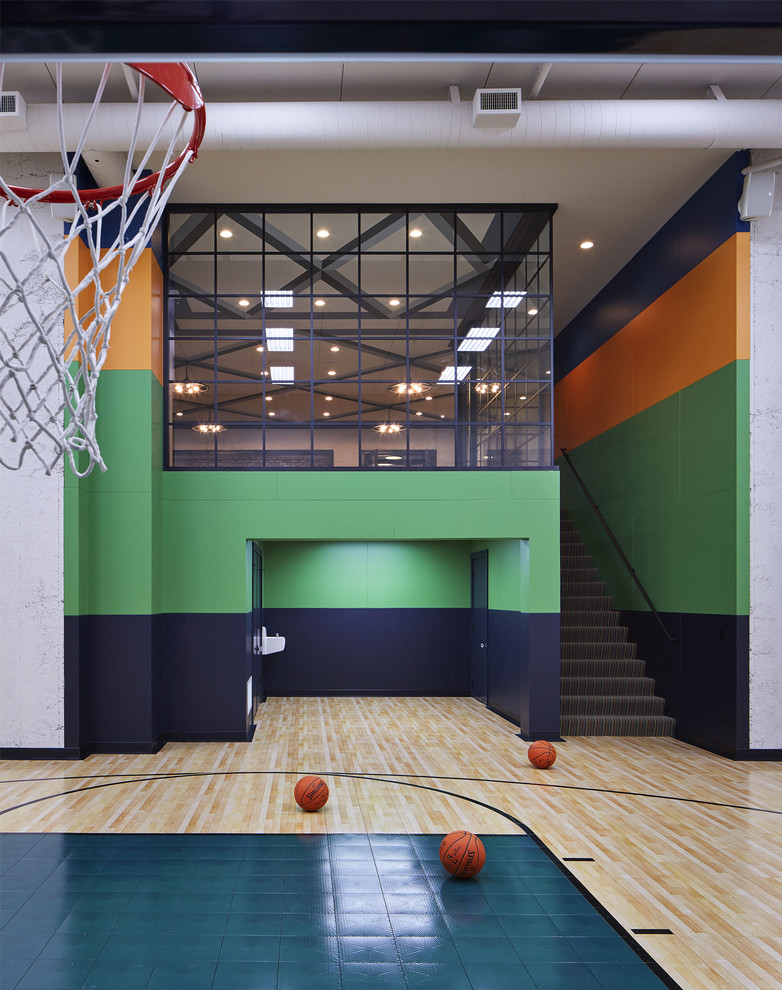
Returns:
(765,396)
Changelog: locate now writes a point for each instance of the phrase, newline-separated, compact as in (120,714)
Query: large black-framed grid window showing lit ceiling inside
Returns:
(394,338)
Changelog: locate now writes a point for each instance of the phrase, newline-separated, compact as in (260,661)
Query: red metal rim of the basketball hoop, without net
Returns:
(176,79)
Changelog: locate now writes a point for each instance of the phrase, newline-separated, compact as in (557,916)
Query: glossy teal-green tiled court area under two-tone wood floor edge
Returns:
(316,913)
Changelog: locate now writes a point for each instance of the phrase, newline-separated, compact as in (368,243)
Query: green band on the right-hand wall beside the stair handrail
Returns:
(673,484)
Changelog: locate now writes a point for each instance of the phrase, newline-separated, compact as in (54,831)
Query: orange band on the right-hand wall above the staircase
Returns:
(699,325)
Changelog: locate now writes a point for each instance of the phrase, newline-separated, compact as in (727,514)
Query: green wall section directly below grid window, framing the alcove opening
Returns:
(208,516)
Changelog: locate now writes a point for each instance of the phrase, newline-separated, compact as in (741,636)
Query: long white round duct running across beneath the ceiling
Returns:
(705,124)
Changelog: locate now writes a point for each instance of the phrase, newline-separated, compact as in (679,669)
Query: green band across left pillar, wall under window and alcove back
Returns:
(140,540)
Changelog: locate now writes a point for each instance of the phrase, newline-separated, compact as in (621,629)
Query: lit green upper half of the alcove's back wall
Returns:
(401,574)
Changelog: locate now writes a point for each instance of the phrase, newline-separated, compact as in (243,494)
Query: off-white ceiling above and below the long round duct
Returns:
(616,198)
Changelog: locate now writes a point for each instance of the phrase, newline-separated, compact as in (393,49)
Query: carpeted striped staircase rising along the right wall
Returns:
(604,690)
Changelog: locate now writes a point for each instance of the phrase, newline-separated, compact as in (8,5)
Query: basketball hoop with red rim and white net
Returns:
(54,336)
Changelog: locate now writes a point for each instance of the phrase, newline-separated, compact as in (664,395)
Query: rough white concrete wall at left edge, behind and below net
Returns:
(31,553)
